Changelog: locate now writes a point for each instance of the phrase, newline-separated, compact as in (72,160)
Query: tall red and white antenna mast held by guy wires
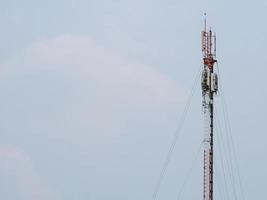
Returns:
(209,84)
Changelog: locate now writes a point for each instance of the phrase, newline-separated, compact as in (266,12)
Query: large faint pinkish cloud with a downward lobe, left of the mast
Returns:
(119,85)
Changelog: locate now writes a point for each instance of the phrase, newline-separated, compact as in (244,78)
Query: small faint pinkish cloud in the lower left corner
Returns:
(18,166)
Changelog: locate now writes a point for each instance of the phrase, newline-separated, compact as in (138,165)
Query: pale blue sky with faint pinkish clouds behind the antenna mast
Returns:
(91,92)
